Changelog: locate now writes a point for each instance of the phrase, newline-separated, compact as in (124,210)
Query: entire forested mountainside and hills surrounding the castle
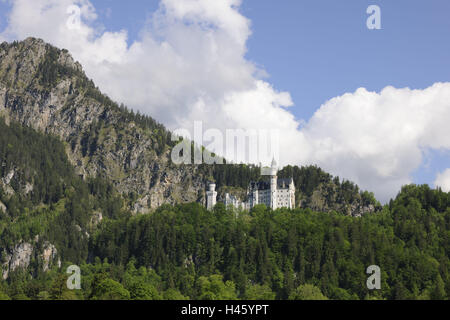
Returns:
(75,168)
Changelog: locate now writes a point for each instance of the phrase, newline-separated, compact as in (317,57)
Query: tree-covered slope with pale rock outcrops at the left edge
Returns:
(47,212)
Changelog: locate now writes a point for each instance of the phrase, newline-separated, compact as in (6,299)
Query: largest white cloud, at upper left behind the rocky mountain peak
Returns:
(189,63)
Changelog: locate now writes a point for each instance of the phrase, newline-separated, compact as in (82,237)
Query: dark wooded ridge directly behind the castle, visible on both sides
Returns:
(315,189)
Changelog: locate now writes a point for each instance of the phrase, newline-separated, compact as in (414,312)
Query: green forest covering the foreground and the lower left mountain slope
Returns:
(186,252)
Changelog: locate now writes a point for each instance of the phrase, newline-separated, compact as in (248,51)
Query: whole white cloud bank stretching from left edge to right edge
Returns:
(189,64)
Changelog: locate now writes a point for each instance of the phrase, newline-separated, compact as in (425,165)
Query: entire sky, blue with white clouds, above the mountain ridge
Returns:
(372,106)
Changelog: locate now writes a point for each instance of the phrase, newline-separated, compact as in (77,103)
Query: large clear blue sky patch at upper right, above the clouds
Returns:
(320,49)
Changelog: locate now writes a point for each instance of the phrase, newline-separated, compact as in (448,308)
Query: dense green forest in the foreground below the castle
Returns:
(186,252)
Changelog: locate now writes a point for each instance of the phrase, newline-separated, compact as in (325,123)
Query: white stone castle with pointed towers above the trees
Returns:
(275,193)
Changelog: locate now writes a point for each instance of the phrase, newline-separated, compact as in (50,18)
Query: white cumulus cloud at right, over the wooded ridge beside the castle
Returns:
(378,139)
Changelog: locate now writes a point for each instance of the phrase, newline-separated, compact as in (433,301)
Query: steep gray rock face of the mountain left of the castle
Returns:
(124,151)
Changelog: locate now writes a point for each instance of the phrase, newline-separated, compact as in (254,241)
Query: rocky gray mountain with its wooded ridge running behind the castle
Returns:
(44,88)
